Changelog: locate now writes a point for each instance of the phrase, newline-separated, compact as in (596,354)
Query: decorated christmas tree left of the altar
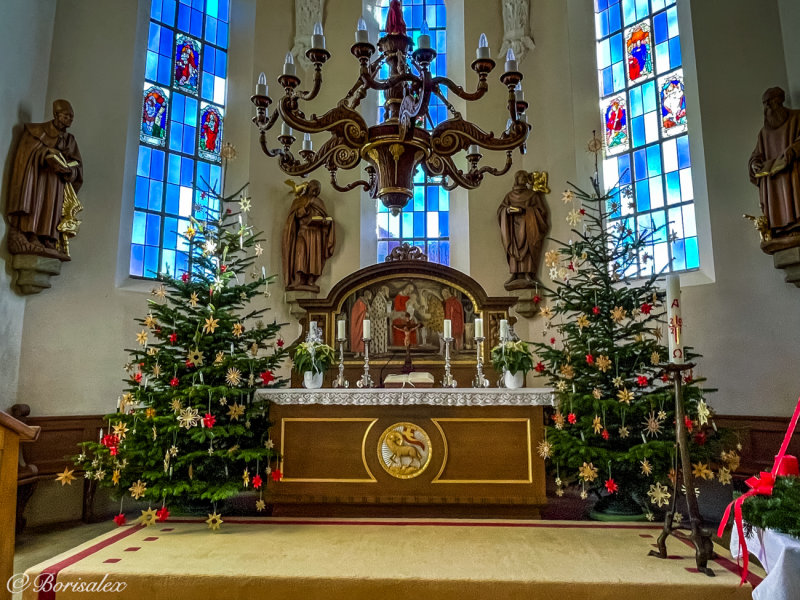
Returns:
(188,427)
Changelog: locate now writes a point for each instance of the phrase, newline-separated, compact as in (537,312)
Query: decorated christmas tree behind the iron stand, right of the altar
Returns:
(613,429)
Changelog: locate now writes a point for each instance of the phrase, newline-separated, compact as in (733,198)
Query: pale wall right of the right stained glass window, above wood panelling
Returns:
(746,322)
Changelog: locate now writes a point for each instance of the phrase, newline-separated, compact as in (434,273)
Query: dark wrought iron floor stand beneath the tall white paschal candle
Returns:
(701,537)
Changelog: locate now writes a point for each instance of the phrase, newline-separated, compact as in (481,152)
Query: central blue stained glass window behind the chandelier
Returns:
(425,221)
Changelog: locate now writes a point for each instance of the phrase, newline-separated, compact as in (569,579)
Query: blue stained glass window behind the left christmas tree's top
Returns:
(180,137)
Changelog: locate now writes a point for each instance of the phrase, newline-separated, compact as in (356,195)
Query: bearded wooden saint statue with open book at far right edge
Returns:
(775,168)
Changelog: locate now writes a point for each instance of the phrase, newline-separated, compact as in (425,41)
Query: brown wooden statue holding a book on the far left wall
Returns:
(46,174)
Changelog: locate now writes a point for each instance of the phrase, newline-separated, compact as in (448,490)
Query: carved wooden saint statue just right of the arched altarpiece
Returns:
(524,223)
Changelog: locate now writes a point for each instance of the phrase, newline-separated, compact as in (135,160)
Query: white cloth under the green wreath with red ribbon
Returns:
(780,555)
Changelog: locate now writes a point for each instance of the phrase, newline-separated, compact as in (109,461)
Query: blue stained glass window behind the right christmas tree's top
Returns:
(645,130)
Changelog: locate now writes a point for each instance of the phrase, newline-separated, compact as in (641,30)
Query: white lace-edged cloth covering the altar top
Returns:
(410,396)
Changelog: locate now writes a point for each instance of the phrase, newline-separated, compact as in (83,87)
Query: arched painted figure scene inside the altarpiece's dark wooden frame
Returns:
(408,314)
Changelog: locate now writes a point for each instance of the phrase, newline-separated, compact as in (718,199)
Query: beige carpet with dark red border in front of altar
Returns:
(295,559)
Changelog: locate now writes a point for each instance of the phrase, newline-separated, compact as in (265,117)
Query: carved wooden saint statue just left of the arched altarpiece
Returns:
(308,238)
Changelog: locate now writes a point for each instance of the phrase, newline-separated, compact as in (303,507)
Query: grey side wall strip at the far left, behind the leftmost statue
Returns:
(26,55)
